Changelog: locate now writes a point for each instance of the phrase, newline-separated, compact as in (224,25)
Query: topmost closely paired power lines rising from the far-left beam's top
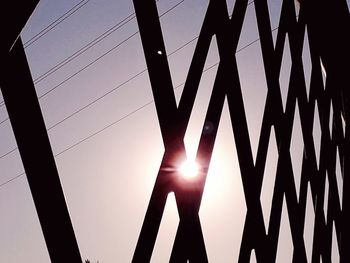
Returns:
(55,23)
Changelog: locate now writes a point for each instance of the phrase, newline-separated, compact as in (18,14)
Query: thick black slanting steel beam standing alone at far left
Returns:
(34,146)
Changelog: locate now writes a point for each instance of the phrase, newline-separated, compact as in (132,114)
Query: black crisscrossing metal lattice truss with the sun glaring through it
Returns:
(324,172)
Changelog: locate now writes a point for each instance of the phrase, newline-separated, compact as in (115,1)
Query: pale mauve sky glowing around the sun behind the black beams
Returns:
(105,135)
